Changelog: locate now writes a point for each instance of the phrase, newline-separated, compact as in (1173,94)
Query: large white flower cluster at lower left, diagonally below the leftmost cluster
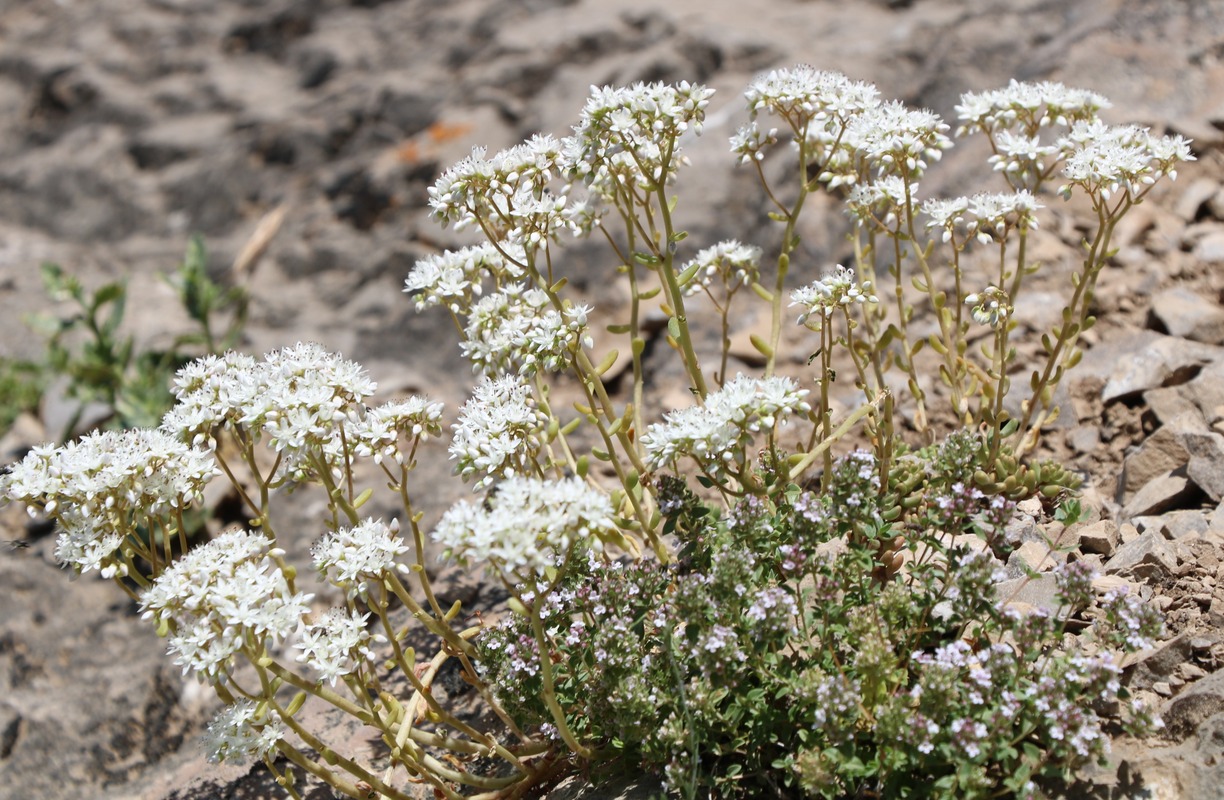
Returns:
(223,598)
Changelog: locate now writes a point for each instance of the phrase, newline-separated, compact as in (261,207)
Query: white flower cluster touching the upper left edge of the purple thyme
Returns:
(527,525)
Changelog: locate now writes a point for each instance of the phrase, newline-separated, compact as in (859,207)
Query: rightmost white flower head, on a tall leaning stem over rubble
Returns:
(1107,160)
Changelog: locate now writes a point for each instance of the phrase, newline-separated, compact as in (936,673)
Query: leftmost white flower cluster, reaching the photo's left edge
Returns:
(103,486)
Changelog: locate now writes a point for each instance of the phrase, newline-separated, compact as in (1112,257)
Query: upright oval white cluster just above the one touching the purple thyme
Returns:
(500,431)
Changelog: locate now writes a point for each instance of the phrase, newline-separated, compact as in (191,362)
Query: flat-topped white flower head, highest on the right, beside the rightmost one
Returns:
(1028,108)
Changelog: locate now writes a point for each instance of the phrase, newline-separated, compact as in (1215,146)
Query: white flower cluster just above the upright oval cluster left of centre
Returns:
(518,330)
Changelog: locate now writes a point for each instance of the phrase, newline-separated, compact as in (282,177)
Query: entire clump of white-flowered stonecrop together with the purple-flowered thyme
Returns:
(722,594)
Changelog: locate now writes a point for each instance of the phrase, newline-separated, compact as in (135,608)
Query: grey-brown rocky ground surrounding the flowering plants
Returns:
(128,127)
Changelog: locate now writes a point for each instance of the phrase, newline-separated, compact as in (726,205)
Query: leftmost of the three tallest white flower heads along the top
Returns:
(630,136)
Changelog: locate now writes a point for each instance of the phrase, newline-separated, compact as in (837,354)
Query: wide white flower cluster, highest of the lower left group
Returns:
(299,399)
